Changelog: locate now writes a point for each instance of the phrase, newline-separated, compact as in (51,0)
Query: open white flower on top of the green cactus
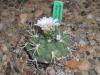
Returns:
(47,23)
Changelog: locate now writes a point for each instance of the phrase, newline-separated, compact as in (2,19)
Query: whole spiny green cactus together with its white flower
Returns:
(48,44)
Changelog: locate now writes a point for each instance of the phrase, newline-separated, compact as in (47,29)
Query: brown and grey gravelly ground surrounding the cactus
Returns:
(81,20)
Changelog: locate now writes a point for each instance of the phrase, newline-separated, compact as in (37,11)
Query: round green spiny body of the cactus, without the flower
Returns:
(43,48)
